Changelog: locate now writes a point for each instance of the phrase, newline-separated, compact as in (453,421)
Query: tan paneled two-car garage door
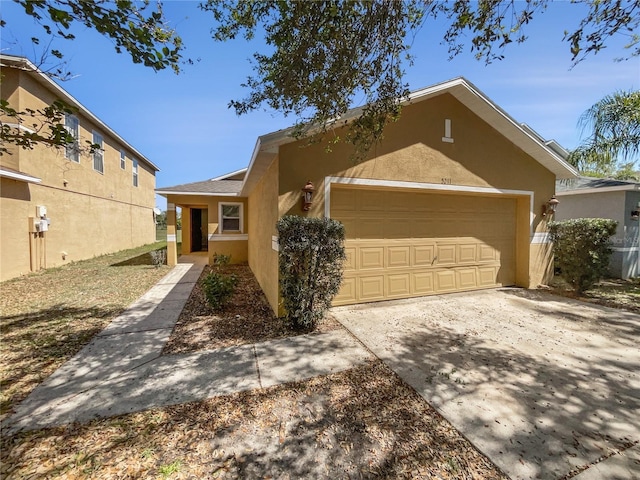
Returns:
(403,244)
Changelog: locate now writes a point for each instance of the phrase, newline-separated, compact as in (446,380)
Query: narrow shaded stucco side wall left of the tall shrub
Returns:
(263,259)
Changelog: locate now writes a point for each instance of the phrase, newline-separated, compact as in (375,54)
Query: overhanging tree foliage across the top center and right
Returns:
(327,57)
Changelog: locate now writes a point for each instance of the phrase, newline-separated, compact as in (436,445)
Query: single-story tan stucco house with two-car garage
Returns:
(451,200)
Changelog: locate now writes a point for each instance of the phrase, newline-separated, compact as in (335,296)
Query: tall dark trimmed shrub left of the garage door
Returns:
(310,263)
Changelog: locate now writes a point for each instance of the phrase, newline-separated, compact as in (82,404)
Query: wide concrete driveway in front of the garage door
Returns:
(542,385)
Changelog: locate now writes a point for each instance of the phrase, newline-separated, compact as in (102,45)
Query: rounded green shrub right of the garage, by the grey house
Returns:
(582,248)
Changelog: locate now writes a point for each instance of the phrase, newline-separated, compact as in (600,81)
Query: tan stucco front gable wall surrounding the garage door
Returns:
(413,151)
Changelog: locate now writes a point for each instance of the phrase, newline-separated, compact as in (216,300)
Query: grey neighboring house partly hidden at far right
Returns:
(606,198)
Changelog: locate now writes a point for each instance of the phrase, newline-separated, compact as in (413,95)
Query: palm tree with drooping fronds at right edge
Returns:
(614,140)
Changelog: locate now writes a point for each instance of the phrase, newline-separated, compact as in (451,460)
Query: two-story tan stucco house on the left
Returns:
(63,204)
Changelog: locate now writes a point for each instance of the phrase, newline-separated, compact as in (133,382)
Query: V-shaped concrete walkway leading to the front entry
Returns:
(122,370)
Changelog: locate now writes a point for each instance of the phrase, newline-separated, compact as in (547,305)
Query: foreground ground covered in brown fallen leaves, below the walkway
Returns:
(361,423)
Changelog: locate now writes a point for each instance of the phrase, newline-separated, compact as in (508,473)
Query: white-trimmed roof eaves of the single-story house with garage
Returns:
(267,145)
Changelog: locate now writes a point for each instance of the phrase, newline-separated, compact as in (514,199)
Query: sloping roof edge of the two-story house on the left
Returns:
(21,63)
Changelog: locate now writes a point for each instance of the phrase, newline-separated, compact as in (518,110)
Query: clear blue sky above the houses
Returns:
(182,123)
